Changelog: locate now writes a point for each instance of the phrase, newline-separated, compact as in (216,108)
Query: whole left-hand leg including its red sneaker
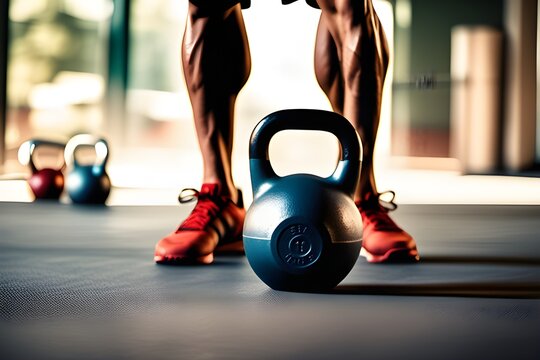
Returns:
(216,63)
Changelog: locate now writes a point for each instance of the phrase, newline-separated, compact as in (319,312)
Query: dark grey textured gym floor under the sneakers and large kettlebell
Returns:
(79,282)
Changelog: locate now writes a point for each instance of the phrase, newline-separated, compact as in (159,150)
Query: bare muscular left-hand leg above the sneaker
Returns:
(216,63)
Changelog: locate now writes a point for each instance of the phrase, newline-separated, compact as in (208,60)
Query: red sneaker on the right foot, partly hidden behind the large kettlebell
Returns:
(383,240)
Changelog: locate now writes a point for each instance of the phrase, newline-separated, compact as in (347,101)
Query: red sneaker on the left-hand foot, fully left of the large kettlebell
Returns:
(214,225)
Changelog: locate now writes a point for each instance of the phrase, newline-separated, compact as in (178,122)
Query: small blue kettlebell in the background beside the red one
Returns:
(87,184)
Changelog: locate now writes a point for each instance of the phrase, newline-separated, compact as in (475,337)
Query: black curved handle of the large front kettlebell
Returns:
(347,172)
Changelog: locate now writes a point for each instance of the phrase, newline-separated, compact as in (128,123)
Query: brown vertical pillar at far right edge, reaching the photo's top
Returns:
(520,98)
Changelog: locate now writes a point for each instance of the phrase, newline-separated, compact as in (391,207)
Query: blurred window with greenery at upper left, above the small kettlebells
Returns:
(56,69)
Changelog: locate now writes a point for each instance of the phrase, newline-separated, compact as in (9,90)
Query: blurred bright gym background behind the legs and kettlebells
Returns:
(459,123)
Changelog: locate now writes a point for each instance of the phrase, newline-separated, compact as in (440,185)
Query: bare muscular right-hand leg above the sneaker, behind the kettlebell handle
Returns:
(351,60)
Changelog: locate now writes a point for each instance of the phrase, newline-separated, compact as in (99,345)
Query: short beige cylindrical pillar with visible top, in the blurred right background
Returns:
(475,112)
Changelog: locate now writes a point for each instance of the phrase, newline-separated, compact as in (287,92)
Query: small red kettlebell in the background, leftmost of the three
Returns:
(45,183)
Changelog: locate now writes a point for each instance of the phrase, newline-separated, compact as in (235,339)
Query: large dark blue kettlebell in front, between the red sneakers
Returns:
(303,232)
